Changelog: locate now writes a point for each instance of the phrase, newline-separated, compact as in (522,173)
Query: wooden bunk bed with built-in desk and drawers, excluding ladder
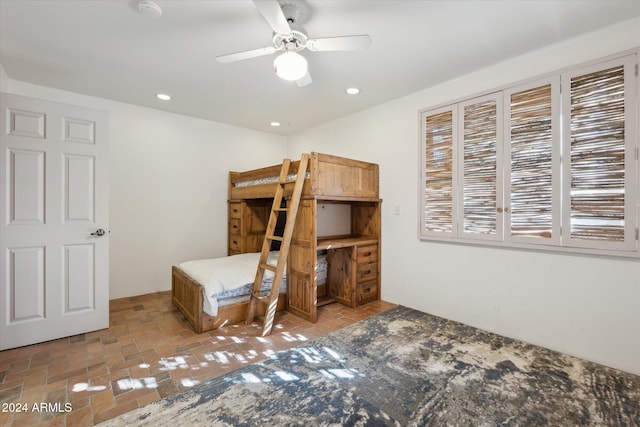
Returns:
(354,259)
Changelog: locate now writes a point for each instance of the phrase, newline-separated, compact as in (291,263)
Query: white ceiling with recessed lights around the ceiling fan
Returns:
(107,49)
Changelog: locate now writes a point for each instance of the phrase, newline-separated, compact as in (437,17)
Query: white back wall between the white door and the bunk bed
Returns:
(168,186)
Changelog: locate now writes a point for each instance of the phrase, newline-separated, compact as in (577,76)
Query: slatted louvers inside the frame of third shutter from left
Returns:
(531,151)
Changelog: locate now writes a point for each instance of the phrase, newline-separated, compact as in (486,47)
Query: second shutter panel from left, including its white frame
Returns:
(481,130)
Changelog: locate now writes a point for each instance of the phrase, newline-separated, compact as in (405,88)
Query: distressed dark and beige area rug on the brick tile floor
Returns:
(406,368)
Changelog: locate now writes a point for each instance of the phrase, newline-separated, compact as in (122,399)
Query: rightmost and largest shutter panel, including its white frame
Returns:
(599,150)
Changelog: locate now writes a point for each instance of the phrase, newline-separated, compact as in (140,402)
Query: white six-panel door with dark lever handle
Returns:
(53,203)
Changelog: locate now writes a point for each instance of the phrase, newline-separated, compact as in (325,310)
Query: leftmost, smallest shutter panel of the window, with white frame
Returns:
(437,149)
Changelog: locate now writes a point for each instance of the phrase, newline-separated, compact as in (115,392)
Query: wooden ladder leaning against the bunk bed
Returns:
(285,240)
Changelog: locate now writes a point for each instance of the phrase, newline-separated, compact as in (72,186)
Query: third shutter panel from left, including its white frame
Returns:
(532,146)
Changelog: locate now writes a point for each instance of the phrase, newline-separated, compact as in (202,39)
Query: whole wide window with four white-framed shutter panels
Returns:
(550,163)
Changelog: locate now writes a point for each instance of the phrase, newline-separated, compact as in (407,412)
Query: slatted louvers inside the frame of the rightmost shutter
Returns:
(597,135)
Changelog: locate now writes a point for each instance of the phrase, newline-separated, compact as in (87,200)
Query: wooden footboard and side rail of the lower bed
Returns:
(186,295)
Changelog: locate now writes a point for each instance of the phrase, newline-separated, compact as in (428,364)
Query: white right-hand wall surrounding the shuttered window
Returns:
(588,306)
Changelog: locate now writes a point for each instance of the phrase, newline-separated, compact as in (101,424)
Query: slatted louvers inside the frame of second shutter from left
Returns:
(480,169)
